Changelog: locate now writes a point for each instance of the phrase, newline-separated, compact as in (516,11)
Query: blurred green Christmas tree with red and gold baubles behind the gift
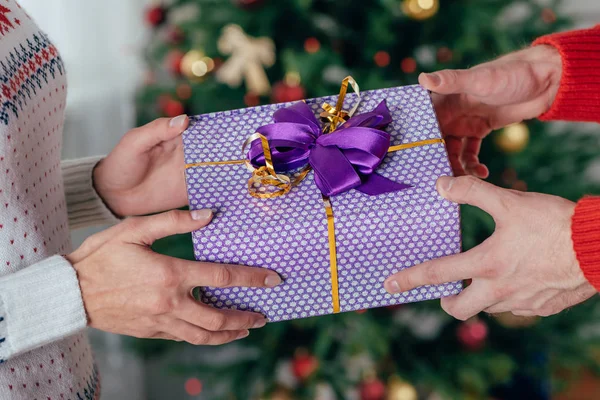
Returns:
(208,55)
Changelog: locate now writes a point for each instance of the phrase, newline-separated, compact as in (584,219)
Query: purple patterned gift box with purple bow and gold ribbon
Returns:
(333,233)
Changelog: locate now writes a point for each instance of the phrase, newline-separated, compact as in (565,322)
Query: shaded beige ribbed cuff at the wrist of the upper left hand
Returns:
(84,205)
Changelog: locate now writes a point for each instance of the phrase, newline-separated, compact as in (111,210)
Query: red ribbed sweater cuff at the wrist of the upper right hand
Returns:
(578,98)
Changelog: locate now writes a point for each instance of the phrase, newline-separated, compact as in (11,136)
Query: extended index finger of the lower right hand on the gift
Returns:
(435,272)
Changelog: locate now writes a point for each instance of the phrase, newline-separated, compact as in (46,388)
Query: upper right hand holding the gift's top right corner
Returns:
(471,103)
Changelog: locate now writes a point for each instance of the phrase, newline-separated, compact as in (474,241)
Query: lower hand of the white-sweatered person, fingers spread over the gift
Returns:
(130,290)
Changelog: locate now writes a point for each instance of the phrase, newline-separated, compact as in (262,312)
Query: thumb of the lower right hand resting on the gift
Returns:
(475,192)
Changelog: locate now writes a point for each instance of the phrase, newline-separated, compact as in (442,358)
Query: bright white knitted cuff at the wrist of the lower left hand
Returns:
(39,304)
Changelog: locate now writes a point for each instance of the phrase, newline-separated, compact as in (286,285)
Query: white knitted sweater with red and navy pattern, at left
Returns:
(44,349)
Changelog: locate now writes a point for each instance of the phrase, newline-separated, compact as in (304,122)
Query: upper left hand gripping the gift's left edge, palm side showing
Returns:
(144,174)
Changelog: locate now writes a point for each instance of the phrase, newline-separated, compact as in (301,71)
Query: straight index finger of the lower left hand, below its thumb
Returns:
(224,275)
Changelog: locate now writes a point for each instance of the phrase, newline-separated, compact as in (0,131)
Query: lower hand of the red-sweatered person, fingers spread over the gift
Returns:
(528,266)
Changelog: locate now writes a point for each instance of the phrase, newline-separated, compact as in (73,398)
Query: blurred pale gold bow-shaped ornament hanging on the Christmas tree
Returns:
(249,57)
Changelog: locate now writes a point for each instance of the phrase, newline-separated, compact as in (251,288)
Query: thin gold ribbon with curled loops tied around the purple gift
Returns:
(265,177)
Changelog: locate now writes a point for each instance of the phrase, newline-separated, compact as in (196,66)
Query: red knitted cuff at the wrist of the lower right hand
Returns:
(586,239)
